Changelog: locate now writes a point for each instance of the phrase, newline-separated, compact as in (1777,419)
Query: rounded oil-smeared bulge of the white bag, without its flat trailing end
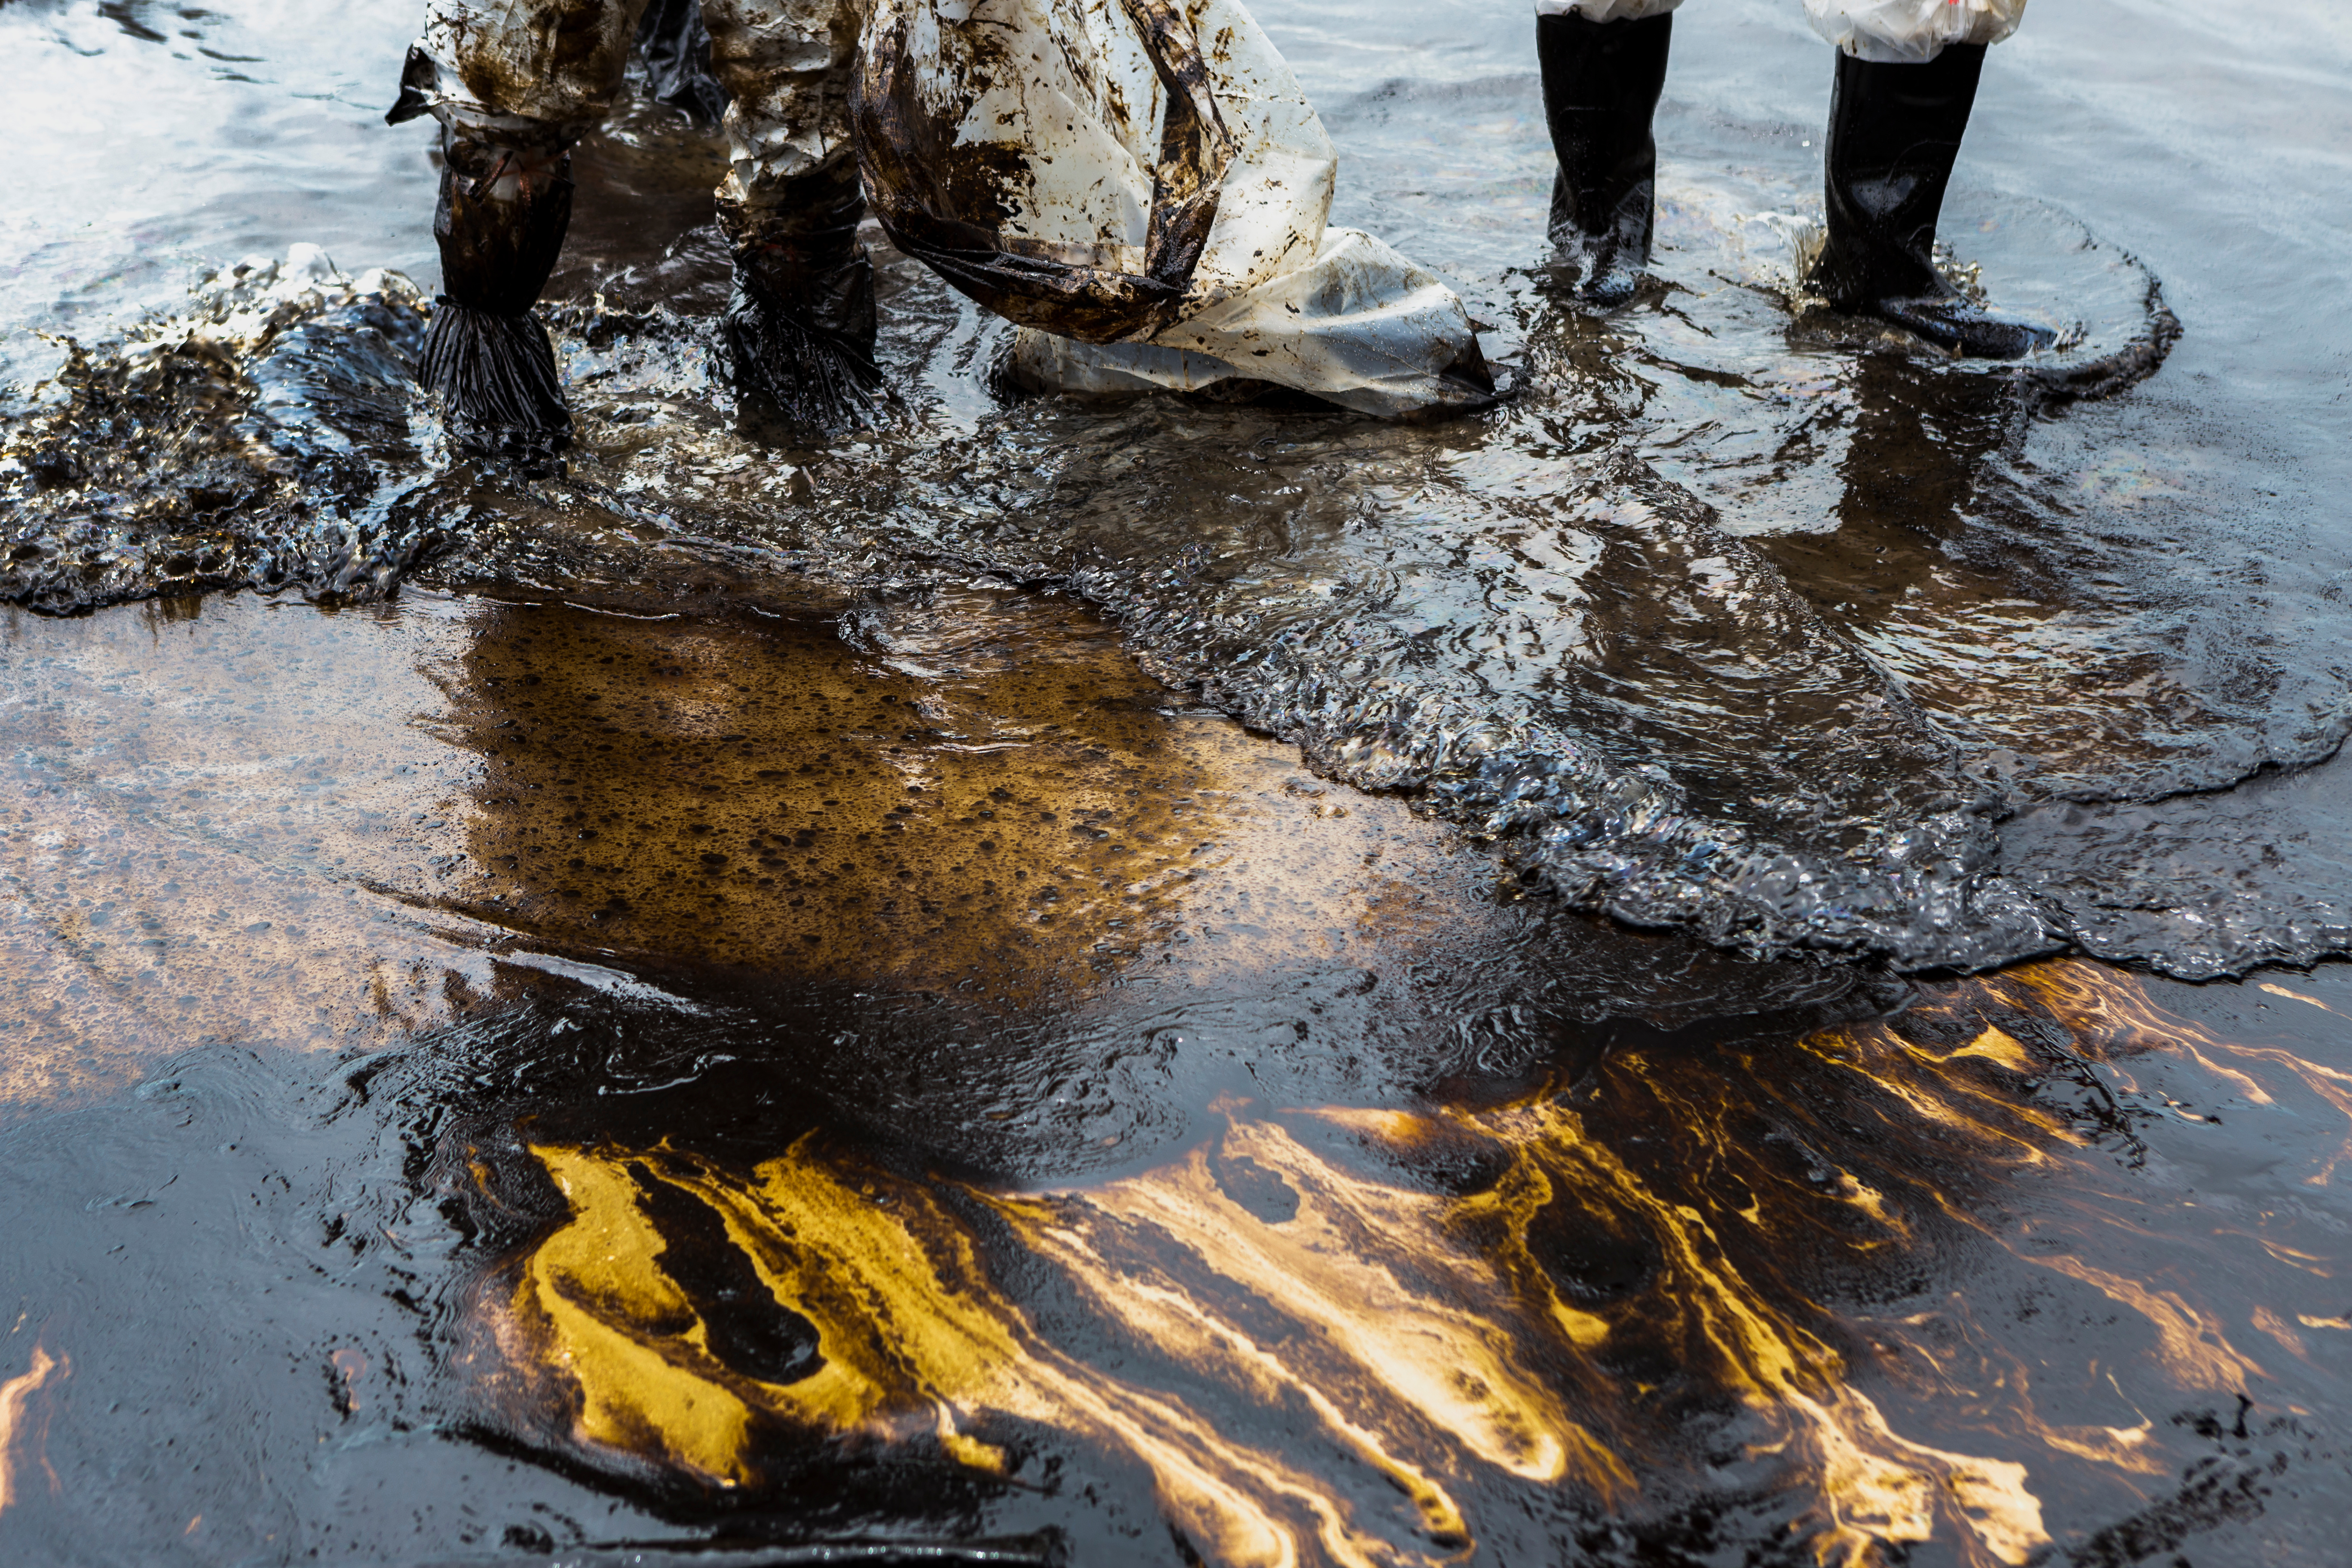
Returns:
(1036,156)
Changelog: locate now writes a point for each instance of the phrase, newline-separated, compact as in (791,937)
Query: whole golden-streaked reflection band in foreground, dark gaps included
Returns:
(1379,1336)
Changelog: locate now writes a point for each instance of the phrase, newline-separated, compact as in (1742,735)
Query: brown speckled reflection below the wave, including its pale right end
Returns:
(989,798)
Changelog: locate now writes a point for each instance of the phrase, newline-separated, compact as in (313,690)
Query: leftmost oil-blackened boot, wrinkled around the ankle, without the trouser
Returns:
(500,225)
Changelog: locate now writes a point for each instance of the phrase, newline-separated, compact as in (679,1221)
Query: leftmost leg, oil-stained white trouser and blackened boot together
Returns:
(514,86)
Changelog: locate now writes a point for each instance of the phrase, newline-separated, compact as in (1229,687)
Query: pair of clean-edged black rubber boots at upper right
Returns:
(1895,135)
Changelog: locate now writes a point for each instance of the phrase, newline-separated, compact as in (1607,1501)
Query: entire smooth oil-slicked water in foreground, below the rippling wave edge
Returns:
(1281,1193)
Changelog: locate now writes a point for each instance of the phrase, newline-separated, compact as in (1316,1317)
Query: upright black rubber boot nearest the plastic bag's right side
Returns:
(1601,91)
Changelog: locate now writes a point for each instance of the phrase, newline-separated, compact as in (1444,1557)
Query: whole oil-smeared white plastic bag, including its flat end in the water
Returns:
(1144,182)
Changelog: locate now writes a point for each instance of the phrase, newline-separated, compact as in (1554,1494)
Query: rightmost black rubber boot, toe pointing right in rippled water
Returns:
(1895,135)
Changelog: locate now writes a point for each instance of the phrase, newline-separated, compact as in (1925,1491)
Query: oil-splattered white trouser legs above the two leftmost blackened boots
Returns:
(542,74)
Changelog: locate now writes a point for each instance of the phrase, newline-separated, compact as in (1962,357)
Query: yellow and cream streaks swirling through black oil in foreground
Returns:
(1415,1341)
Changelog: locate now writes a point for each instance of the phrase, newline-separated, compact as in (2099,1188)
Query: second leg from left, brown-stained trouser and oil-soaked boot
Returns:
(803,314)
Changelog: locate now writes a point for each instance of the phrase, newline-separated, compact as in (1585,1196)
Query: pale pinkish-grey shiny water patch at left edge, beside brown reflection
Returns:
(199,798)
